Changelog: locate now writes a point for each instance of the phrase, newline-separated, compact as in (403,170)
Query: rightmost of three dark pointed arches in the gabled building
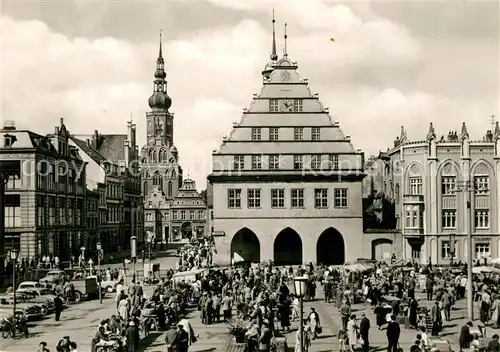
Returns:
(330,248)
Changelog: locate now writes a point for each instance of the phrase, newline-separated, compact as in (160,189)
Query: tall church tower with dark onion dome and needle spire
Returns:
(160,169)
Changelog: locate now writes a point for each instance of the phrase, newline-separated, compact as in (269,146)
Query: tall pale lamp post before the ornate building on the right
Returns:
(468,187)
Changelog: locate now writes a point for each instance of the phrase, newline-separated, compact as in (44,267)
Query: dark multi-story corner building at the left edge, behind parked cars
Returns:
(45,200)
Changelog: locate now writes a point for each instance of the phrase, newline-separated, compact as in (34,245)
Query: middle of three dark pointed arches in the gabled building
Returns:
(288,248)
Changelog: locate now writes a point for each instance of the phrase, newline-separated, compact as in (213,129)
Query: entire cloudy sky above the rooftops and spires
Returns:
(391,64)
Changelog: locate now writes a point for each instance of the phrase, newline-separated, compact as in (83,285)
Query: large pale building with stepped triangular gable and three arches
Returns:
(287,181)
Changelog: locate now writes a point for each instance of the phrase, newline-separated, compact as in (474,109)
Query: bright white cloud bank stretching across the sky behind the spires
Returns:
(366,76)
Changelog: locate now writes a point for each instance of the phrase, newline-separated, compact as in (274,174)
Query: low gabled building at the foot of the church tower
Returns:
(182,218)
